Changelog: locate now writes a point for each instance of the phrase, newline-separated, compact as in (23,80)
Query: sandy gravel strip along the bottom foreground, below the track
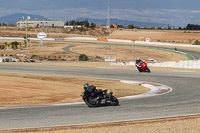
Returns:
(171,125)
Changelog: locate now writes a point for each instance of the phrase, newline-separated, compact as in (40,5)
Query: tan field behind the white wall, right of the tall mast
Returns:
(158,36)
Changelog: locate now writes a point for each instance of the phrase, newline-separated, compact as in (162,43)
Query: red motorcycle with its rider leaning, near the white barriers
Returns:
(142,66)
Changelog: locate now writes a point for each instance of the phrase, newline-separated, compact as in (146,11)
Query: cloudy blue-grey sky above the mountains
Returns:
(174,12)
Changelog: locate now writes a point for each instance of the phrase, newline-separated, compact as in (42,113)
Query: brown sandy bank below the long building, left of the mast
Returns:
(51,32)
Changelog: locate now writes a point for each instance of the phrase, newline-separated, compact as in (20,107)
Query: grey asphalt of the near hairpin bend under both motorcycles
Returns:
(182,101)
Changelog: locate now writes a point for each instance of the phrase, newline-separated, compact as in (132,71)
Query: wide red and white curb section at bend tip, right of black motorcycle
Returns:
(156,89)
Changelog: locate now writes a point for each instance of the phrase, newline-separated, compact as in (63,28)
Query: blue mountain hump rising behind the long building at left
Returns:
(13,18)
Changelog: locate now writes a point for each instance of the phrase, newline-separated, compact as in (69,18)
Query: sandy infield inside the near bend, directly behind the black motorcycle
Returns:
(23,90)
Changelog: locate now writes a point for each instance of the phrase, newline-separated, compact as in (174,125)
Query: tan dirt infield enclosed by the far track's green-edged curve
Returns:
(128,53)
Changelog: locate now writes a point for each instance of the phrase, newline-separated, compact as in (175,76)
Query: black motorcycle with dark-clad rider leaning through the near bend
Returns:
(97,97)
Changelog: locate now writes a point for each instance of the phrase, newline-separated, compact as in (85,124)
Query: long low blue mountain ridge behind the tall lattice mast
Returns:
(123,22)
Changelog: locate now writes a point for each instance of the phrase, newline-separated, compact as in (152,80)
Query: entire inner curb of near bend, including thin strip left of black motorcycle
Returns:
(156,89)
